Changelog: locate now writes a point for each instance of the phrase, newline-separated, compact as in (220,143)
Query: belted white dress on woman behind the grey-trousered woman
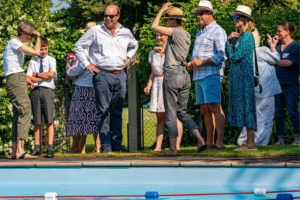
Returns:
(157,101)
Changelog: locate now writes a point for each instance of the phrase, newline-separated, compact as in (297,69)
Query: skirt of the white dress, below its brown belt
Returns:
(157,101)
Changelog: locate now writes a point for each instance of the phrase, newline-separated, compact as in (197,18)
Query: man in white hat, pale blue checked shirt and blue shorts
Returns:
(207,61)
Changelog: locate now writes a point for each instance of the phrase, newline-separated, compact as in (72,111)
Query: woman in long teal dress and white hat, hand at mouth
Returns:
(240,47)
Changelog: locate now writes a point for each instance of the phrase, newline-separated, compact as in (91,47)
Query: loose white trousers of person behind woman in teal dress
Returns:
(265,109)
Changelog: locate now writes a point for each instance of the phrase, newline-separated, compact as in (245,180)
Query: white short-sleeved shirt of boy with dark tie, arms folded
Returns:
(48,63)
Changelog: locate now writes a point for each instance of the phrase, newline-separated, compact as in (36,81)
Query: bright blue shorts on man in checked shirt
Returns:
(208,90)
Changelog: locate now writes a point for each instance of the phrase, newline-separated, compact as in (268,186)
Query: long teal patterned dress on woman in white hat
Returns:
(241,106)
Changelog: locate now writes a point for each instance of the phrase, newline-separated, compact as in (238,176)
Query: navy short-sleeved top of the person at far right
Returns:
(289,75)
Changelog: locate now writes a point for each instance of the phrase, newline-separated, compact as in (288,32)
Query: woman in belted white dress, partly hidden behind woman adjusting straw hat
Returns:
(156,59)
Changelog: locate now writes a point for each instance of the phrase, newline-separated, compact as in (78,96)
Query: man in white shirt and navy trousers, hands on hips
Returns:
(111,47)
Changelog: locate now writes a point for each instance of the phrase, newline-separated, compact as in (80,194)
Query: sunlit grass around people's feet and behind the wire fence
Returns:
(150,137)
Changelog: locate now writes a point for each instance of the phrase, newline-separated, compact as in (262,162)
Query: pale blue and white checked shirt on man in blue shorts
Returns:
(209,43)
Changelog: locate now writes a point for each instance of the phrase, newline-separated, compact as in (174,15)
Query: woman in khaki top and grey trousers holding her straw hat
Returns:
(176,81)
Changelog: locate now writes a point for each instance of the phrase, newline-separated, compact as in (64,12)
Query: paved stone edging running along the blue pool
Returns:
(180,161)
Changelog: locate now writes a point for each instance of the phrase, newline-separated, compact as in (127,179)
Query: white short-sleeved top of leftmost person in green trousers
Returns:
(13,59)
